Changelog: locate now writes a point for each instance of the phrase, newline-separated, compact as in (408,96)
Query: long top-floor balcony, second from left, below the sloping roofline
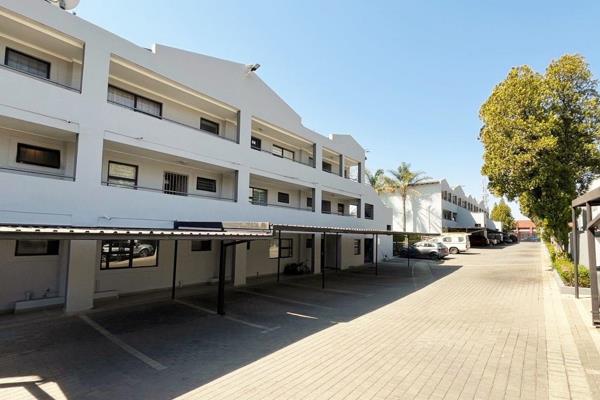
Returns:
(145,92)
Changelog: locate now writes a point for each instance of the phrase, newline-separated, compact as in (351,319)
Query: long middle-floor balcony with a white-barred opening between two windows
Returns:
(131,168)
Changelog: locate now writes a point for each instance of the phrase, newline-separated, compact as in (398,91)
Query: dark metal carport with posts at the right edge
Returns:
(585,203)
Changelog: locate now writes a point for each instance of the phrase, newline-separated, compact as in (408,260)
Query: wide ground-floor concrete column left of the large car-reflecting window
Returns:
(81,276)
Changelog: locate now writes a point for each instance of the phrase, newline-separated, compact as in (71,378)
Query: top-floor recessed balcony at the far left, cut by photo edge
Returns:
(39,52)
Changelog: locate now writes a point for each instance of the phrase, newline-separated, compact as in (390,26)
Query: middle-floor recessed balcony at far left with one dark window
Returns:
(31,149)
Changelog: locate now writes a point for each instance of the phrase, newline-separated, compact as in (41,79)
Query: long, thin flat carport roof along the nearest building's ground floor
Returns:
(96,233)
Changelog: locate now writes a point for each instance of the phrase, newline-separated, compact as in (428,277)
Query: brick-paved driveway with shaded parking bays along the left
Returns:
(486,324)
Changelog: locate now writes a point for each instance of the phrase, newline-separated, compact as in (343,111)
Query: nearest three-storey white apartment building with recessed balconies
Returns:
(105,147)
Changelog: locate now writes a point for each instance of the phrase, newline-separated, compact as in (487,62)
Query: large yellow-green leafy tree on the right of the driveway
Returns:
(541,140)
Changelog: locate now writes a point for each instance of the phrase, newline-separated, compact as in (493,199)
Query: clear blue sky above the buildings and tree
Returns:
(406,79)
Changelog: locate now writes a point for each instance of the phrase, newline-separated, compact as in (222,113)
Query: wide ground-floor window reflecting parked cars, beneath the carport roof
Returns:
(117,254)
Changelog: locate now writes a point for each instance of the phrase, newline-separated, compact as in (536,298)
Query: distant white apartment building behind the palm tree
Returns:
(436,207)
